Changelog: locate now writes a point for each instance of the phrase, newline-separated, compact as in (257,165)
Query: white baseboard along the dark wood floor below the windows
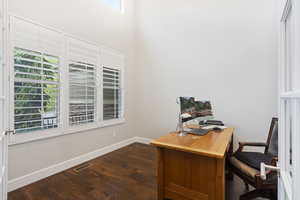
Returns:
(54,169)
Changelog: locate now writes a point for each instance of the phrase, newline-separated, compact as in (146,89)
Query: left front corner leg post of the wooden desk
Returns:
(160,174)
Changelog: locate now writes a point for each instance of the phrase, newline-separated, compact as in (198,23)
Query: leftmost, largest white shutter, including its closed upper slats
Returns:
(37,52)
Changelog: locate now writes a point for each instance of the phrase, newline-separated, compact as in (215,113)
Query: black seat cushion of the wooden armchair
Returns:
(253,159)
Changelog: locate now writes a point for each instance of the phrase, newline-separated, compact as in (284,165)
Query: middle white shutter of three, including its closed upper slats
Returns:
(83,60)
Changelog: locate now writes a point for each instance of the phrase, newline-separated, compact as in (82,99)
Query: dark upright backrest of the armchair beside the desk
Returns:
(272,142)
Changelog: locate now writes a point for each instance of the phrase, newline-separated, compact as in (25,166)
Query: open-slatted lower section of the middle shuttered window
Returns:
(82,93)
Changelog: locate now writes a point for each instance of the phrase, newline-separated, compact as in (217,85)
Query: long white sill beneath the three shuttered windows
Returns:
(46,134)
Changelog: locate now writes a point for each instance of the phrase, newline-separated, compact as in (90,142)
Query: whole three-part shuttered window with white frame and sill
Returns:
(59,83)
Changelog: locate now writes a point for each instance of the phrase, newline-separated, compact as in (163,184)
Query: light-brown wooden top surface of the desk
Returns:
(213,144)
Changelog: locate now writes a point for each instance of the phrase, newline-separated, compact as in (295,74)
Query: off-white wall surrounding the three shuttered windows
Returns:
(94,21)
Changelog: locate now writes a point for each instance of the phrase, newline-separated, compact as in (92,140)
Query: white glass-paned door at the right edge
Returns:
(289,102)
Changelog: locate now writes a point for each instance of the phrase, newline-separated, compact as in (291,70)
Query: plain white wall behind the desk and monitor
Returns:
(223,51)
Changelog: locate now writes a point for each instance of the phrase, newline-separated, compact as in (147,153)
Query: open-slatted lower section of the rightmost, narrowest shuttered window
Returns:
(111,93)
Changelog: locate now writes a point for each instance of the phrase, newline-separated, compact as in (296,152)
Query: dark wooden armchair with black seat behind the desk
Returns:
(246,165)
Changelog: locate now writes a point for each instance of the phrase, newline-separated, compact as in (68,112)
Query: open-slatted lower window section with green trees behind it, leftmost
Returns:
(36,89)
